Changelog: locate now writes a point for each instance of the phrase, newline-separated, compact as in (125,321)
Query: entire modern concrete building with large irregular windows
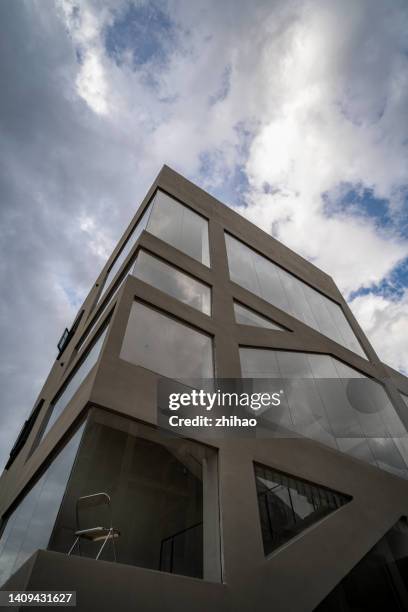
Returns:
(311,520)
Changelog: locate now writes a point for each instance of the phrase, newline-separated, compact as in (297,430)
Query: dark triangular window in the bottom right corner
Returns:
(379,581)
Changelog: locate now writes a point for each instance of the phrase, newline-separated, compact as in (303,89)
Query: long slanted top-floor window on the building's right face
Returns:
(264,278)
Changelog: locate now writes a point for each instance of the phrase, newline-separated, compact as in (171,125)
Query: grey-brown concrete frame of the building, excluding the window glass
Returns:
(300,574)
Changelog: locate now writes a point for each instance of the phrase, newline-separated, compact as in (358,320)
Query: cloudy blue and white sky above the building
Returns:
(294,112)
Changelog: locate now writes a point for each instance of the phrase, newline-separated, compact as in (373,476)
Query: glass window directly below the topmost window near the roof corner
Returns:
(165,277)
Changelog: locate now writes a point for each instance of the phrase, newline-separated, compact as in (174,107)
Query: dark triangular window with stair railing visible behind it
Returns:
(288,506)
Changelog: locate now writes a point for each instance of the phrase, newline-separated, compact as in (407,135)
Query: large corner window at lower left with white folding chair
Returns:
(162,493)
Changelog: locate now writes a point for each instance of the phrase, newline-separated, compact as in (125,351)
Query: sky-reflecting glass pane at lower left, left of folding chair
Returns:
(30,525)
